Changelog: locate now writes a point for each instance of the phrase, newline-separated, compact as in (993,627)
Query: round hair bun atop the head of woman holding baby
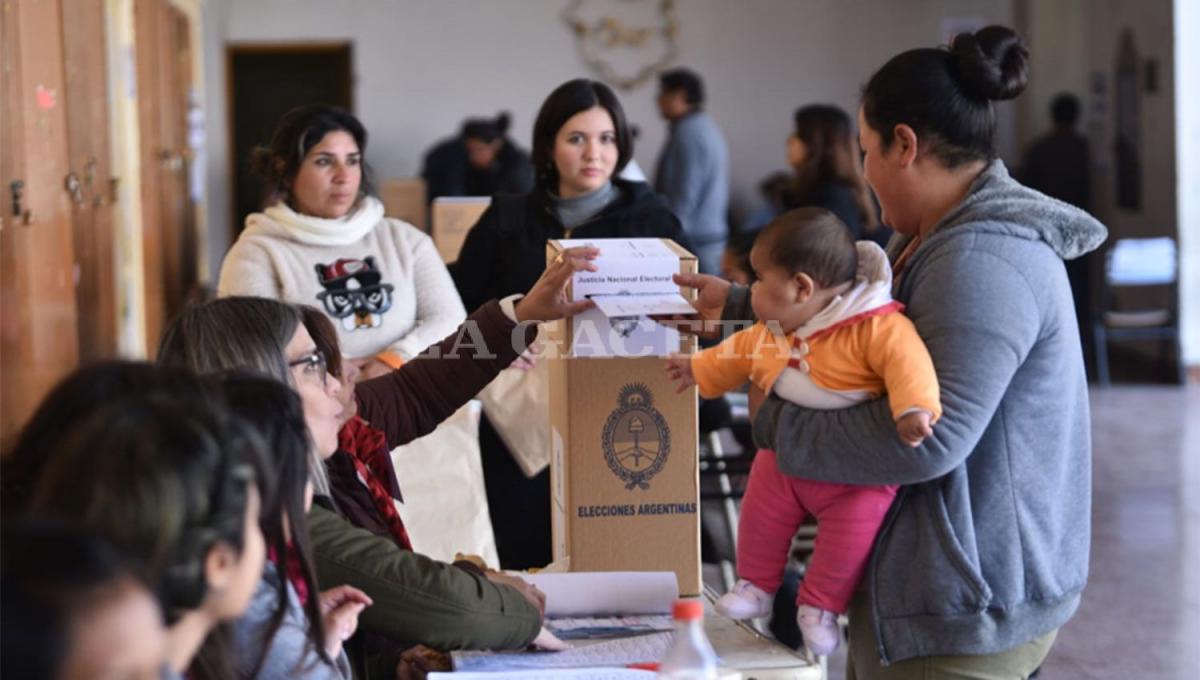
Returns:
(993,64)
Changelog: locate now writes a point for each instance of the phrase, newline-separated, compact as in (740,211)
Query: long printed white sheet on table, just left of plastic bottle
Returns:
(622,652)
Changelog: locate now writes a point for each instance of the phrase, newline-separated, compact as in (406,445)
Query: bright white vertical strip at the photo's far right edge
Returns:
(1187,146)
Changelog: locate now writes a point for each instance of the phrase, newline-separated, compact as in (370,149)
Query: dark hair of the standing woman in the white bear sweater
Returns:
(296,135)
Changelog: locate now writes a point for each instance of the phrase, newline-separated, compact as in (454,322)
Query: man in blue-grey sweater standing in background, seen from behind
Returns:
(694,166)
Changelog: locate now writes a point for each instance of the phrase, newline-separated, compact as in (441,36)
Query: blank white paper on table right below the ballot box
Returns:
(607,593)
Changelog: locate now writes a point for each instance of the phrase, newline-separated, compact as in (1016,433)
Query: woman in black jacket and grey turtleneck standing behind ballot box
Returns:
(581,142)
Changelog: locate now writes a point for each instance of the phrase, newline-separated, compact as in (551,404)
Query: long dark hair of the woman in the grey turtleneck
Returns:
(566,101)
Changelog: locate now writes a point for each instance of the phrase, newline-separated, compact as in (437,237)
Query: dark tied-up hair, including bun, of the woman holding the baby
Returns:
(946,95)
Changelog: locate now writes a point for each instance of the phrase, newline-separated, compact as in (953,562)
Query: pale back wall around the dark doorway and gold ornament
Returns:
(424,65)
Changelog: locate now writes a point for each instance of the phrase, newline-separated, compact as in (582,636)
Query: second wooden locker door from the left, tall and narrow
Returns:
(88,142)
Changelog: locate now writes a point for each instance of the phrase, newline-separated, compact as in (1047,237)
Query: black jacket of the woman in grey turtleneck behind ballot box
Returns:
(506,252)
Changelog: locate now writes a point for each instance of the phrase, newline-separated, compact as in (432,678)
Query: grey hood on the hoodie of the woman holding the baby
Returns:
(1000,204)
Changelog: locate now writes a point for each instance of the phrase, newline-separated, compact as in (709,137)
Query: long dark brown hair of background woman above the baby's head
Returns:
(832,157)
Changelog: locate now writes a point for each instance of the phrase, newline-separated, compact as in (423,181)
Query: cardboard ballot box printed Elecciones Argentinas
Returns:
(625,464)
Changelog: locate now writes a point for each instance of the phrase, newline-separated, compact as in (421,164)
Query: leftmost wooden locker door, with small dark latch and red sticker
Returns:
(39,342)
